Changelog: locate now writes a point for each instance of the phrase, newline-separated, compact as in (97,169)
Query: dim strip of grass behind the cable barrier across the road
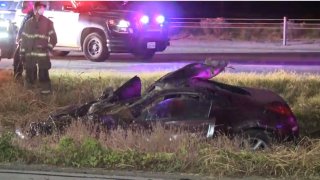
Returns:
(259,34)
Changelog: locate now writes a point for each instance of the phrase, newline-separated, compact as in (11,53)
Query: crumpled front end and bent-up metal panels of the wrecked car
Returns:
(109,111)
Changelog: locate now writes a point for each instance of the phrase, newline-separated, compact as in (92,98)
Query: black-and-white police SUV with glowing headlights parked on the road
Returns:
(100,28)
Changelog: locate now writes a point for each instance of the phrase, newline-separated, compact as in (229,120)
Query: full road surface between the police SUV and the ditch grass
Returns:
(300,57)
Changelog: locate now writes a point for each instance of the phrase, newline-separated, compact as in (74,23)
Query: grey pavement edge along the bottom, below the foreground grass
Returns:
(43,172)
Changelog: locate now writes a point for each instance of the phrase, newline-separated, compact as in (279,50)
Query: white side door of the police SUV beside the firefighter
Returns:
(66,23)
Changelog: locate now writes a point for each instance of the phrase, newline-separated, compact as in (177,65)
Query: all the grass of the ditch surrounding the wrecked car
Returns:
(82,147)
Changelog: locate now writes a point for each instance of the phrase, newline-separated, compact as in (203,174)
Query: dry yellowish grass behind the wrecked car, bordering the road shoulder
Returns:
(19,106)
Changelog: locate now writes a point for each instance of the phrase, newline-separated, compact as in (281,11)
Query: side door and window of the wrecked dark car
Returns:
(187,111)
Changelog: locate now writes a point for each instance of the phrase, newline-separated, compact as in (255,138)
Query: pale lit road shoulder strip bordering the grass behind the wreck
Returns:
(126,64)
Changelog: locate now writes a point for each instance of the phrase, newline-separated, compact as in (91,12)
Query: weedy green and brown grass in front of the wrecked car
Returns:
(82,147)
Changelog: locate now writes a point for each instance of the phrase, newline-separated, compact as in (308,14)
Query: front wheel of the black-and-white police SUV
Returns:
(95,48)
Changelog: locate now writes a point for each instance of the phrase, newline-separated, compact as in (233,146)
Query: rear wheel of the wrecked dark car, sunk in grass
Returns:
(257,139)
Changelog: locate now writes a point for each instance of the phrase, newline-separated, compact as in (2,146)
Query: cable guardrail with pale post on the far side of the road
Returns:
(288,28)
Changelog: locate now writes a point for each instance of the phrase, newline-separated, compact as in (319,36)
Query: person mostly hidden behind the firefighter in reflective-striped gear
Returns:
(27,8)
